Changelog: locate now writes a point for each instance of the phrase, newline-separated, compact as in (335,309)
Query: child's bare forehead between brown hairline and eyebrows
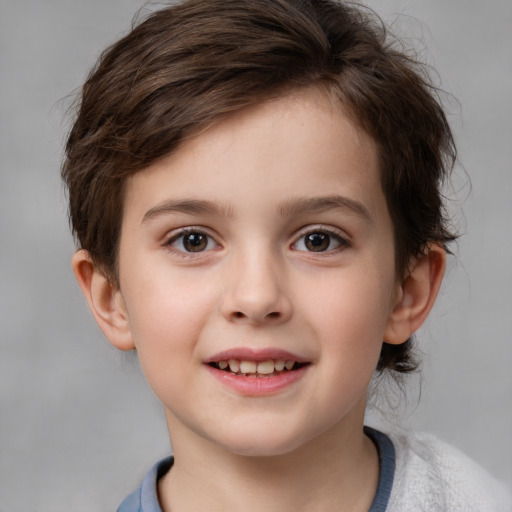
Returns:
(295,146)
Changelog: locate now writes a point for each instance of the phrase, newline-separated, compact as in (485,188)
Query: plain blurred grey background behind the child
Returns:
(78,425)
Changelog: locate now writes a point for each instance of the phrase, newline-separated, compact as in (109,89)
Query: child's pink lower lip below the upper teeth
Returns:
(258,386)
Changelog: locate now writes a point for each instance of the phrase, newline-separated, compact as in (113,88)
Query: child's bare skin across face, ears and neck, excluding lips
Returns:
(255,186)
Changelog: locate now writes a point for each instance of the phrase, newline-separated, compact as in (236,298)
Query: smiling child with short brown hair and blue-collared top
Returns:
(255,189)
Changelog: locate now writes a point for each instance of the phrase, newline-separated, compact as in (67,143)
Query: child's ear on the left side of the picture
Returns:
(105,301)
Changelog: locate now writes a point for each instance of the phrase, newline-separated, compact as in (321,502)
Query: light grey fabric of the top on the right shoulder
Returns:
(433,476)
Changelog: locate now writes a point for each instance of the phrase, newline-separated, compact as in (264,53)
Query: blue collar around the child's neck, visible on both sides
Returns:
(145,498)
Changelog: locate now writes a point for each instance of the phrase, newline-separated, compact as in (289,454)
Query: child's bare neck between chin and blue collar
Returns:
(337,472)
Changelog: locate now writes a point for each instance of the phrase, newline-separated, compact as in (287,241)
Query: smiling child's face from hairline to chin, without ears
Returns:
(265,238)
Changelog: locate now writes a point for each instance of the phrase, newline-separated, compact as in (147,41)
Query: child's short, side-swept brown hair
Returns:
(187,65)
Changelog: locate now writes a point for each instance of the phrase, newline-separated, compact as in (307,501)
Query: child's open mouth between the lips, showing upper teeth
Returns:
(260,369)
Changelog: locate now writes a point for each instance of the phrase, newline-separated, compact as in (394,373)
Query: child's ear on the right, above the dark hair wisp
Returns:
(416,295)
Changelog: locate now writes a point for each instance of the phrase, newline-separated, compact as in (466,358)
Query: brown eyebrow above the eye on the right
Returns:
(324,204)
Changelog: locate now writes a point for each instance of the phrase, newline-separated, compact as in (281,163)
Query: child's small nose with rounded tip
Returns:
(256,291)
